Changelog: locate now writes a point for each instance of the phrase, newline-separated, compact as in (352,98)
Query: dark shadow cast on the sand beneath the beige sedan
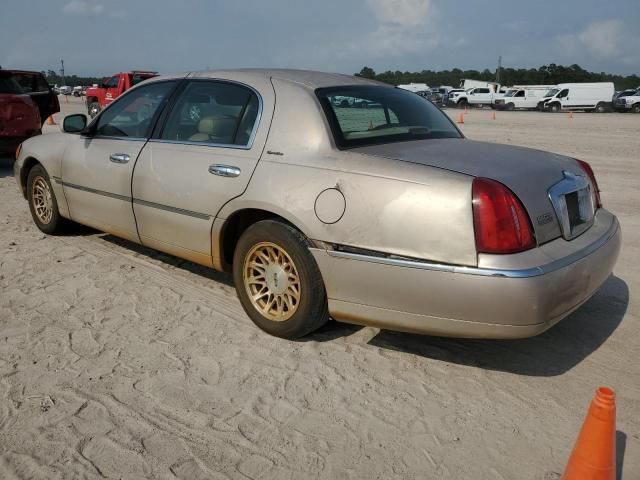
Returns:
(549,354)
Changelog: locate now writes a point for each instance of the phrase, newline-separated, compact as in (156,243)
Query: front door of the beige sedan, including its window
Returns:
(97,167)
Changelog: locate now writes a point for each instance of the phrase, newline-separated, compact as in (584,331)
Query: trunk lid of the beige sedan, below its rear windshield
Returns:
(529,173)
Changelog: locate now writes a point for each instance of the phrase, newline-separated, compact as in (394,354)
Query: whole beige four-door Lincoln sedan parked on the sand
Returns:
(383,216)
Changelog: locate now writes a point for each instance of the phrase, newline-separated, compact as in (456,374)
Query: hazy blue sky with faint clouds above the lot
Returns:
(100,37)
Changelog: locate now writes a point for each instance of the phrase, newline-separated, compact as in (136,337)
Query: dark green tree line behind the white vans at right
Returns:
(551,74)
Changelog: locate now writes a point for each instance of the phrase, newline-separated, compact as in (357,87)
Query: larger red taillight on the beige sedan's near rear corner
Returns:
(500,221)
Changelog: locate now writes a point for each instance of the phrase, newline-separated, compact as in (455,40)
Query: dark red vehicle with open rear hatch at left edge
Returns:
(26,100)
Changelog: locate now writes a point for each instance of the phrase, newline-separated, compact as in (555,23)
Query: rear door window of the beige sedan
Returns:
(213,112)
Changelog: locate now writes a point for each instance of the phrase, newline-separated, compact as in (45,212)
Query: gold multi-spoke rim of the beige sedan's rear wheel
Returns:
(271,281)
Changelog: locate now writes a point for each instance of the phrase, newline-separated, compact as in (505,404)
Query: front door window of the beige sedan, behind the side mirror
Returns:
(131,115)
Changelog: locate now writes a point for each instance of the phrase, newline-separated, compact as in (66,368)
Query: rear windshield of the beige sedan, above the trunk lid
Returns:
(366,115)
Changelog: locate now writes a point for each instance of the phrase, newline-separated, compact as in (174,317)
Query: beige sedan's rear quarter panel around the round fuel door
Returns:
(391,206)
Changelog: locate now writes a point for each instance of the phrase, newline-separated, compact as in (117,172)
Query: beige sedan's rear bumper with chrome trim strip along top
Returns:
(447,300)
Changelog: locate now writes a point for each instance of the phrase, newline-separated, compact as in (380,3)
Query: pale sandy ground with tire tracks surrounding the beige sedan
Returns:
(119,362)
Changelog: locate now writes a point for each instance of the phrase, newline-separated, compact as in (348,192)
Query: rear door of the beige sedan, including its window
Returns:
(202,157)
